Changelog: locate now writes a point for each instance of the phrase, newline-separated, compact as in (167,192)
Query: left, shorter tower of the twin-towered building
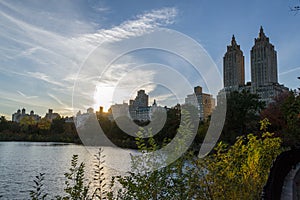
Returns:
(233,66)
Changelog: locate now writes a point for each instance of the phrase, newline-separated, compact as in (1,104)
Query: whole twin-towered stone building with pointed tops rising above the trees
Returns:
(264,74)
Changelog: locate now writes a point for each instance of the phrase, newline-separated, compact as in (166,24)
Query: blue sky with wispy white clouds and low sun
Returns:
(71,55)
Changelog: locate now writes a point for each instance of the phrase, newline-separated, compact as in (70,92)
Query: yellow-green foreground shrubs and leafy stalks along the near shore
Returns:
(238,171)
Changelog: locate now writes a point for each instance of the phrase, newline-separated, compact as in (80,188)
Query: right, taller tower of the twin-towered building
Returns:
(263,61)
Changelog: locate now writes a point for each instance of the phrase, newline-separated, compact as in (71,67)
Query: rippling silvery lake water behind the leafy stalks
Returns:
(20,162)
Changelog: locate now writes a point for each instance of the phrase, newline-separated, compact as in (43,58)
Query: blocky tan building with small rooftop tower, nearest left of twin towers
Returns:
(205,103)
